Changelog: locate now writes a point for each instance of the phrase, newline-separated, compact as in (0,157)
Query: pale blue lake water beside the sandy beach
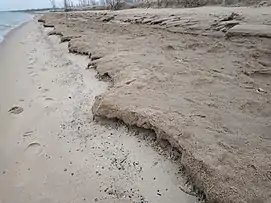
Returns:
(10,20)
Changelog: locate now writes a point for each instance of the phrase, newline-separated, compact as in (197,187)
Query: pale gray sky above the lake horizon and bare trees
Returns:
(25,4)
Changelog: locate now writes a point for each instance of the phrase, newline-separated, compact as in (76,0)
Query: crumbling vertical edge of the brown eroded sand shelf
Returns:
(206,180)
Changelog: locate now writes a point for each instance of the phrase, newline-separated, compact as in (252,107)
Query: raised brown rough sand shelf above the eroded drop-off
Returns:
(205,92)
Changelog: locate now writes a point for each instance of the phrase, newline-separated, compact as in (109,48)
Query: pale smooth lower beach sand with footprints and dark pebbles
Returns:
(51,150)
